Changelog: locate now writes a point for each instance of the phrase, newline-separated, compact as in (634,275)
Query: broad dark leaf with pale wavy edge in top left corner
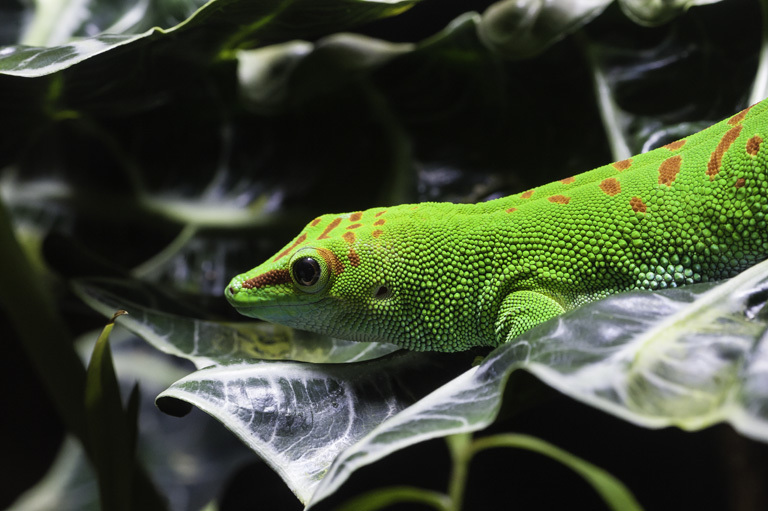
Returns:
(217,28)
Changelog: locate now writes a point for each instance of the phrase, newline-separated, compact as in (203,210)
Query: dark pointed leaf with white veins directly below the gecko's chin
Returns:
(299,417)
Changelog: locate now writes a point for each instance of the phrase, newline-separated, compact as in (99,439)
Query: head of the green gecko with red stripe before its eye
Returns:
(326,280)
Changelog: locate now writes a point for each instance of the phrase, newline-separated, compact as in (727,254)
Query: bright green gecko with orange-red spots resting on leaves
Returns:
(447,277)
